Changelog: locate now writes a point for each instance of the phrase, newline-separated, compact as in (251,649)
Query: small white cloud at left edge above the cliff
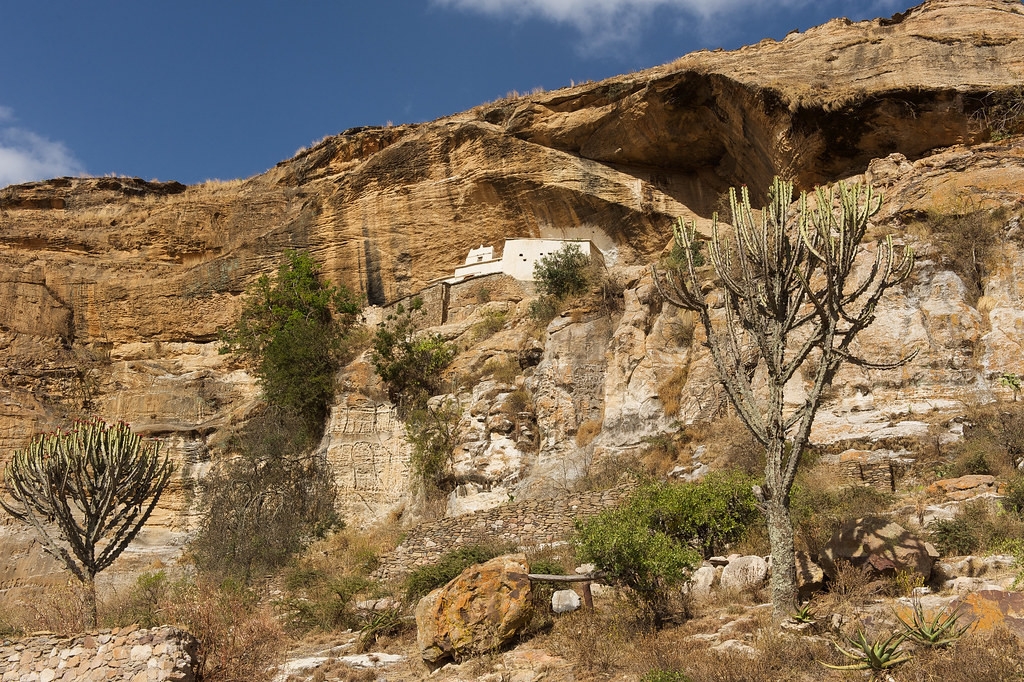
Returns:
(26,156)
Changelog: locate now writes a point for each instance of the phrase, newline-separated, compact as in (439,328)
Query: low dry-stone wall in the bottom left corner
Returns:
(125,655)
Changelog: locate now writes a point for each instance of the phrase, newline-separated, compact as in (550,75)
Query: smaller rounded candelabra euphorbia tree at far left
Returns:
(95,486)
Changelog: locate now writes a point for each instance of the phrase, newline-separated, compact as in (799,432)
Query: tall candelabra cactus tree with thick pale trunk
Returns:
(793,301)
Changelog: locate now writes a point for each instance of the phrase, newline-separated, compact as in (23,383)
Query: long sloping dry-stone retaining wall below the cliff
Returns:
(524,525)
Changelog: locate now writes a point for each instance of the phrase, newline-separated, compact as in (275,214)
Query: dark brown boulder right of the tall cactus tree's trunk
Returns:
(881,547)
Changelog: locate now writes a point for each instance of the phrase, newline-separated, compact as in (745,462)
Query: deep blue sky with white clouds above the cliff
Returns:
(200,90)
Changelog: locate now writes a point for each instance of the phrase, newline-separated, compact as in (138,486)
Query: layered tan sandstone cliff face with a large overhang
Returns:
(112,290)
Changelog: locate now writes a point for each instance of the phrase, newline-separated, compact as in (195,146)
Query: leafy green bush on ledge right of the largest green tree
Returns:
(410,364)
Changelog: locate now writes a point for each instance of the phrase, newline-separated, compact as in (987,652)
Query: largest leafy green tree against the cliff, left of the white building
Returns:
(292,331)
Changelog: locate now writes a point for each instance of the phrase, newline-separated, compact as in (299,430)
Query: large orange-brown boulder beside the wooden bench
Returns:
(478,612)
